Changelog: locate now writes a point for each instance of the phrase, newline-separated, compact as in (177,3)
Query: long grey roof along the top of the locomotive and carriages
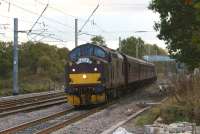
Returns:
(105,48)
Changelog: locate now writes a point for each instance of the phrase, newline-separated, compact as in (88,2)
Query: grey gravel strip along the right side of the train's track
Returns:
(105,119)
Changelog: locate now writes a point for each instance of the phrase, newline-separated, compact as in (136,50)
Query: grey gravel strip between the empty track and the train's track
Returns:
(16,119)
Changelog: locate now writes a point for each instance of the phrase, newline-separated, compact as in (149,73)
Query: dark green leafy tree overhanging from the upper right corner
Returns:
(179,27)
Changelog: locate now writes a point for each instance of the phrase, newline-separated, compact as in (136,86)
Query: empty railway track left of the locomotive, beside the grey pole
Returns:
(30,103)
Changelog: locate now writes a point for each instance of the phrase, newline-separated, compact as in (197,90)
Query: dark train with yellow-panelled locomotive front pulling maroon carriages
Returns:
(97,74)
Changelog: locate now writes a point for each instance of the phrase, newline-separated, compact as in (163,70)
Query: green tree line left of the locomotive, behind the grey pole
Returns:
(34,59)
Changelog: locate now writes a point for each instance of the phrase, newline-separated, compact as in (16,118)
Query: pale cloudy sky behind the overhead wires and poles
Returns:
(112,19)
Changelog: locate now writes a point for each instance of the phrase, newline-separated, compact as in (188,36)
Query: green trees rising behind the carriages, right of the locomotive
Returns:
(129,47)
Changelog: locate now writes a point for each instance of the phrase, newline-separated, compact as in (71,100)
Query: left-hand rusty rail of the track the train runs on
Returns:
(22,126)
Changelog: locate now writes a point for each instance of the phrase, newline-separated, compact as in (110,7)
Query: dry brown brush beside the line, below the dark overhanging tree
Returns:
(184,104)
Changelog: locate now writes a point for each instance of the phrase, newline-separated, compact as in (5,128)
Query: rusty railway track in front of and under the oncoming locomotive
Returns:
(60,119)
